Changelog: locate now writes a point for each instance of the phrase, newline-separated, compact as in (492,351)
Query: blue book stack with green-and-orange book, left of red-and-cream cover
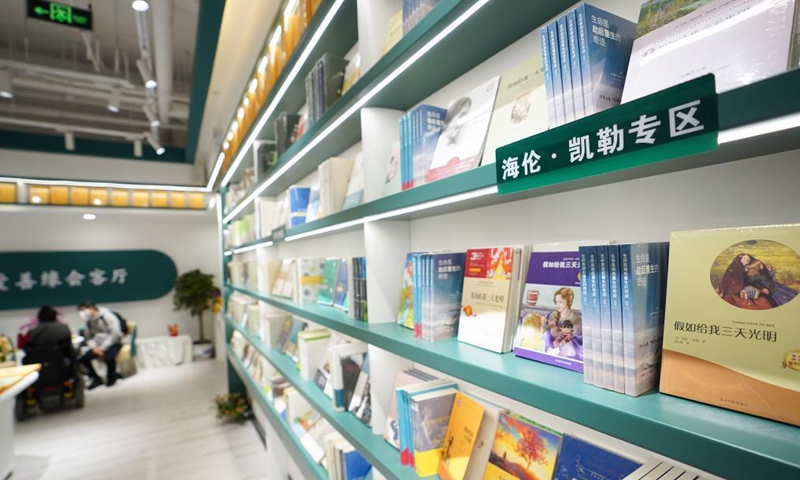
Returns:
(431,294)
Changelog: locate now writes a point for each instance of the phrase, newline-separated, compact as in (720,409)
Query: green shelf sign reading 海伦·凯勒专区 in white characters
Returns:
(676,122)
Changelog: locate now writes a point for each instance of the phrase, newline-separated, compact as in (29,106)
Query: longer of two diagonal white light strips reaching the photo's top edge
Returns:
(357,106)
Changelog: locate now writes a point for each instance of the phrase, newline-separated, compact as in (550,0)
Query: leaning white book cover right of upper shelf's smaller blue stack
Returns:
(460,144)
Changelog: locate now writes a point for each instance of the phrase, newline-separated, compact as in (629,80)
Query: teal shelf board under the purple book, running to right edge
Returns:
(723,442)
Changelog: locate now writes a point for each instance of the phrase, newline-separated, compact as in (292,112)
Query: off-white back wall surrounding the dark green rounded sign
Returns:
(189,239)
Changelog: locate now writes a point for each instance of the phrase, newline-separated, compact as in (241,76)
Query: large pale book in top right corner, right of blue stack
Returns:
(727,38)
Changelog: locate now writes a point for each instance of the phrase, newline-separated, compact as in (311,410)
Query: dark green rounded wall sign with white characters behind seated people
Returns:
(31,279)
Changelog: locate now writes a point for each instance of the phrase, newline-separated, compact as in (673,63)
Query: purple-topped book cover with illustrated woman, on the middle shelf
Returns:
(550,328)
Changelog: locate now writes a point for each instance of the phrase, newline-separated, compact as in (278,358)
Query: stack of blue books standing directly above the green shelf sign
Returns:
(585,55)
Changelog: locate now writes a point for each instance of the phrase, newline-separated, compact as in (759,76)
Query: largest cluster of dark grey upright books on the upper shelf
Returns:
(324,85)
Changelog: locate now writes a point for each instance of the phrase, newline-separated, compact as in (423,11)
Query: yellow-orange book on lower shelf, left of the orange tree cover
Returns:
(462,431)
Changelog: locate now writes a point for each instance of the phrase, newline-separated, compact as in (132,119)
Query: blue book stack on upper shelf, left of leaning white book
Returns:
(419,132)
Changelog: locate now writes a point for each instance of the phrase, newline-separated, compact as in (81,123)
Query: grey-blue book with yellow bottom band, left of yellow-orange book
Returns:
(430,415)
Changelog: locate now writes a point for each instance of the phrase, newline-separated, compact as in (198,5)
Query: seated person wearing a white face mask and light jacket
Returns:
(104,337)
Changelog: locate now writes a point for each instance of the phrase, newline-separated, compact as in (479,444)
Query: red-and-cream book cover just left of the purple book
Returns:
(486,295)
